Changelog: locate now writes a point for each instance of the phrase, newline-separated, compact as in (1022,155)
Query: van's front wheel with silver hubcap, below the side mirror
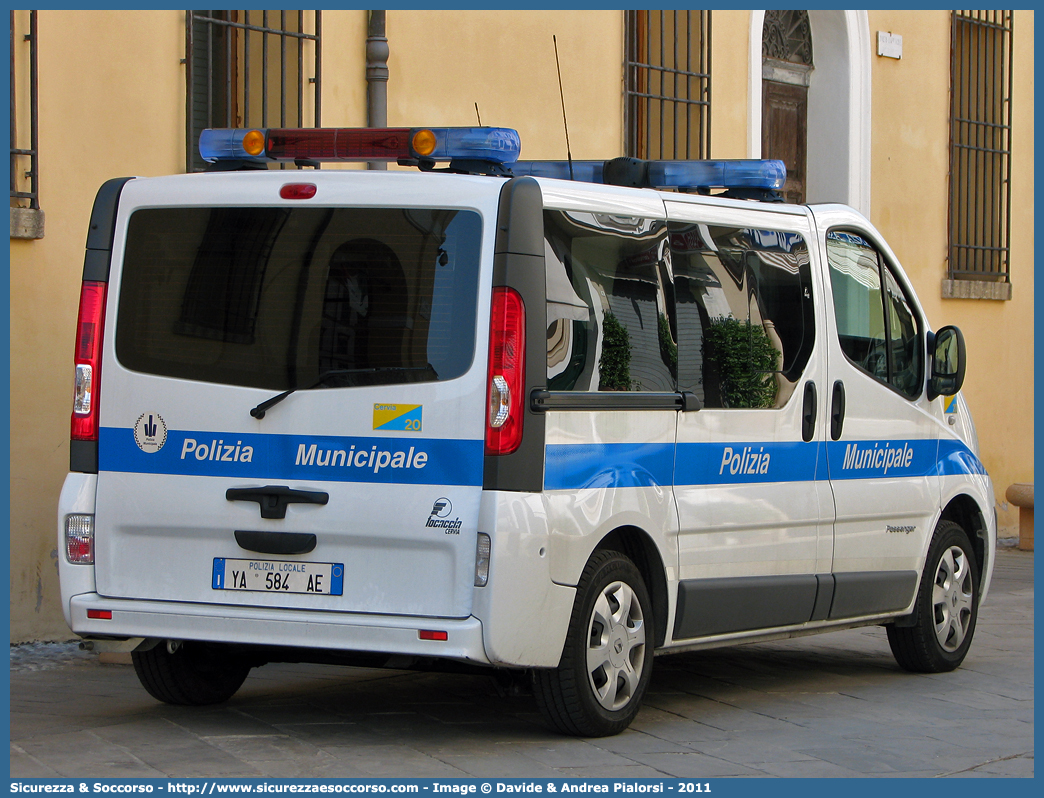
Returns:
(947,607)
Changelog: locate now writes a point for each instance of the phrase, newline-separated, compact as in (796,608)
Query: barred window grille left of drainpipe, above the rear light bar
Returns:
(248,69)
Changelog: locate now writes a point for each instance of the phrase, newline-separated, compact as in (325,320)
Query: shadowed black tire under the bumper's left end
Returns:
(193,674)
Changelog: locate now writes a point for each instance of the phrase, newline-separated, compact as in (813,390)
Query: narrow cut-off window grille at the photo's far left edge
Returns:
(25,161)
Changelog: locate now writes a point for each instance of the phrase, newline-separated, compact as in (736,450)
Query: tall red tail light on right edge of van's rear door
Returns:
(504,431)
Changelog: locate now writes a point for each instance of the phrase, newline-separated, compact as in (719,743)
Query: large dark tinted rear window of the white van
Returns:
(277,299)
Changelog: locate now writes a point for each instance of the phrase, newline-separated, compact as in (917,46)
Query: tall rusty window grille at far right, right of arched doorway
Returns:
(981,146)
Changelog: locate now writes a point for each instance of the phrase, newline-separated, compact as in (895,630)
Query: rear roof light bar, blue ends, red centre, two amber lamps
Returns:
(500,146)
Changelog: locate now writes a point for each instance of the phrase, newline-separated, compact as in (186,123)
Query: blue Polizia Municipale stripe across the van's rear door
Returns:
(294,457)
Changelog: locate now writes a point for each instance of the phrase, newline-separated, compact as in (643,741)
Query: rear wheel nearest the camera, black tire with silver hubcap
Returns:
(606,665)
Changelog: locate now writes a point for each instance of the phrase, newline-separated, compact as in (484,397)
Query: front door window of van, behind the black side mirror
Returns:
(877,328)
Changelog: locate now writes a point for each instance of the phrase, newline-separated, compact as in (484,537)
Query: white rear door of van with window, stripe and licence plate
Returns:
(293,393)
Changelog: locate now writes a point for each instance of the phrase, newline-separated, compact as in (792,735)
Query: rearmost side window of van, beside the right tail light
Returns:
(610,310)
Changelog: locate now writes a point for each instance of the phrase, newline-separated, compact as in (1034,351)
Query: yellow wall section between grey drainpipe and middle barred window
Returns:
(505,62)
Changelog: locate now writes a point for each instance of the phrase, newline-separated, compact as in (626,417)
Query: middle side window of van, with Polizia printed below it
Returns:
(746,317)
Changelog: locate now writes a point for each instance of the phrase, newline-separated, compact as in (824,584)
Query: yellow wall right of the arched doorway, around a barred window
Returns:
(910,199)
